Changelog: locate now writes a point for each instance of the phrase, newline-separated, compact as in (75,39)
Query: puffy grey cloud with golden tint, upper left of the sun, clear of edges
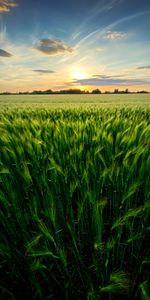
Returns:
(53,47)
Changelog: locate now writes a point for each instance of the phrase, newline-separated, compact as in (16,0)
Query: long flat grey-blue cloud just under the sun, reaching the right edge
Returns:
(109,82)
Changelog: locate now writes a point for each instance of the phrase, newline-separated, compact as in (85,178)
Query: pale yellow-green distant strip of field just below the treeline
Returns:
(73,101)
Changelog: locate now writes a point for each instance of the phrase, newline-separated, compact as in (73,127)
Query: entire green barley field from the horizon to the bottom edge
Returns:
(75,197)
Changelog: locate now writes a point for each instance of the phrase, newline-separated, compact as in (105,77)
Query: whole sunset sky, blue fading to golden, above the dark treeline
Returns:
(65,44)
